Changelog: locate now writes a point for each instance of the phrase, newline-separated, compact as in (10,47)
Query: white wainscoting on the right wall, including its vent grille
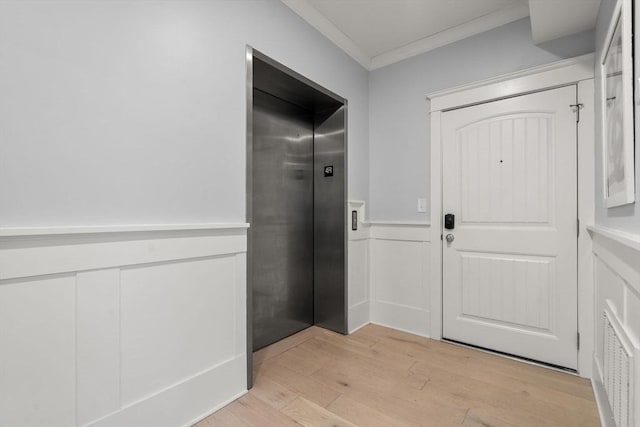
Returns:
(617,304)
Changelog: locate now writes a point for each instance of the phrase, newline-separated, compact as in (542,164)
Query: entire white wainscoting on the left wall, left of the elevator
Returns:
(122,326)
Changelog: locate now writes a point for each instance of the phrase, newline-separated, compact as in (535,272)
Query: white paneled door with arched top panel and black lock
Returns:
(510,260)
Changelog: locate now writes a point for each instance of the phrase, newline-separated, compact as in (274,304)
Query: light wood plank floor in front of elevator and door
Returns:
(383,377)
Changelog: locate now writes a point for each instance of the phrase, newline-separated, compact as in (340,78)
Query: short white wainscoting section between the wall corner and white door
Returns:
(399,276)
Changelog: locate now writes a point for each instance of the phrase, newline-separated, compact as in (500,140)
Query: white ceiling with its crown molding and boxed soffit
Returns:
(380,32)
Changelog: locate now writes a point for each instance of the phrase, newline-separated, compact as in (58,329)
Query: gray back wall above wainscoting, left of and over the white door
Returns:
(399,112)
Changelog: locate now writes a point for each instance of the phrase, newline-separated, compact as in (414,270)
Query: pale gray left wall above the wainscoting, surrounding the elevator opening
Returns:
(130,112)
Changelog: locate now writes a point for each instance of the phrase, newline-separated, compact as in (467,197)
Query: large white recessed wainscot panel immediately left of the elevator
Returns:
(169,312)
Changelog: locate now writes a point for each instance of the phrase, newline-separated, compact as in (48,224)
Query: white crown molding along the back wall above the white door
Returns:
(451,35)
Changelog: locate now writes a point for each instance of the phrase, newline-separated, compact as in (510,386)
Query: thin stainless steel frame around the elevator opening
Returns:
(250,55)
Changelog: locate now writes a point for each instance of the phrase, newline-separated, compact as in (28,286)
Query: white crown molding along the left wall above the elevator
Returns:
(318,21)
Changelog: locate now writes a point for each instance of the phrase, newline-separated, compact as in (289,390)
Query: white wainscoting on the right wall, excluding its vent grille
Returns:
(617,290)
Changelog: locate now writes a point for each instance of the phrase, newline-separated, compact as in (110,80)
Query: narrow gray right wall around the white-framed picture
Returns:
(626,218)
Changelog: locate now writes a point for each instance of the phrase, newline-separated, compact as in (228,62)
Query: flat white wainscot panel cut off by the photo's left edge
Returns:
(37,352)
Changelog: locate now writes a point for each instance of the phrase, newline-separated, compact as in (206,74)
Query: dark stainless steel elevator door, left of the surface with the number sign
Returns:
(282,224)
